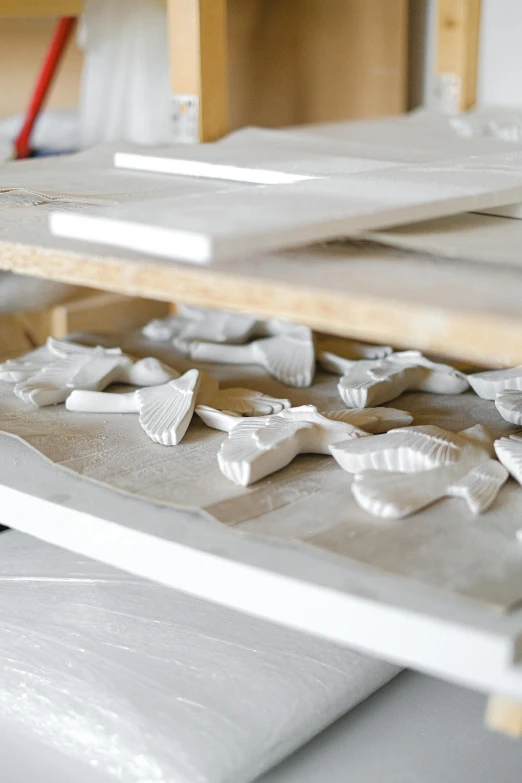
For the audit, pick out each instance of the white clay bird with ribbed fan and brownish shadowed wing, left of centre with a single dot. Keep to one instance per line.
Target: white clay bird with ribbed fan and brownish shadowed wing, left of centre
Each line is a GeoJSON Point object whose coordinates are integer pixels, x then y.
{"type": "Point", "coordinates": [165, 411]}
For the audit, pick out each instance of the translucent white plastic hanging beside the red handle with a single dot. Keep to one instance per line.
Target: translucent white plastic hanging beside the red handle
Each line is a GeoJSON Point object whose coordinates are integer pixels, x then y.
{"type": "Point", "coordinates": [125, 92]}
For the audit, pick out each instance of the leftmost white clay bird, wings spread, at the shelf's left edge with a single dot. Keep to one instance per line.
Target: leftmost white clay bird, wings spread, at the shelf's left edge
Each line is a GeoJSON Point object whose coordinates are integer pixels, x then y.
{"type": "Point", "coordinates": [48, 375]}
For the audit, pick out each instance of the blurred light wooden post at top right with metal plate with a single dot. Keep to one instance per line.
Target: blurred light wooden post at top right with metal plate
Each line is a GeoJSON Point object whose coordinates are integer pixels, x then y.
{"type": "Point", "coordinates": [458, 30]}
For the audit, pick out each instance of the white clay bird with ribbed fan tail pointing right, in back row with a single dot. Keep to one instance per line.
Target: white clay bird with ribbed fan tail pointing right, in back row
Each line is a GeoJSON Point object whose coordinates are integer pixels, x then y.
{"type": "Point", "coordinates": [288, 356]}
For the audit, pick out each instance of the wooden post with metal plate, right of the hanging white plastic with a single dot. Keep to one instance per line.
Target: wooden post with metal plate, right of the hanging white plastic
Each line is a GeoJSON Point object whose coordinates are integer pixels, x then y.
{"type": "Point", "coordinates": [198, 47]}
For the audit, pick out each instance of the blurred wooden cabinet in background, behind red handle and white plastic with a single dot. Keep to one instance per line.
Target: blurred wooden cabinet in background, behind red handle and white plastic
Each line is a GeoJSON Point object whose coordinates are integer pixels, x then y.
{"type": "Point", "coordinates": [274, 62]}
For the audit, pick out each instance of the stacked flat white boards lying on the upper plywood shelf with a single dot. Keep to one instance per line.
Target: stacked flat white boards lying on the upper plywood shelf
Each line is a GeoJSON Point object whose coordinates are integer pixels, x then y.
{"type": "Point", "coordinates": [260, 191]}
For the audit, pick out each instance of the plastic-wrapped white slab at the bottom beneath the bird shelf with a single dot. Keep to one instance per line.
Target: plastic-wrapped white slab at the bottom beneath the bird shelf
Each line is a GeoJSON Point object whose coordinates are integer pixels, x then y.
{"type": "Point", "coordinates": [149, 684]}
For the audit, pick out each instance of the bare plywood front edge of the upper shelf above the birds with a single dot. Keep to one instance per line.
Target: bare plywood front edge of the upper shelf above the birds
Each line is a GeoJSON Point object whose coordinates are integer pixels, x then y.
{"type": "Point", "coordinates": [480, 336]}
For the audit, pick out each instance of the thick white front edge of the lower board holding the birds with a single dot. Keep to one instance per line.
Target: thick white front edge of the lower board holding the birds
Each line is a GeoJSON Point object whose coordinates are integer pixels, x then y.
{"type": "Point", "coordinates": [390, 617]}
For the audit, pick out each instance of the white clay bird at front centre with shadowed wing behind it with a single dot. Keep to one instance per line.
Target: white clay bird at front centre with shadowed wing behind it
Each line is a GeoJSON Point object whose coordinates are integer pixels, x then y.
{"type": "Point", "coordinates": [257, 447]}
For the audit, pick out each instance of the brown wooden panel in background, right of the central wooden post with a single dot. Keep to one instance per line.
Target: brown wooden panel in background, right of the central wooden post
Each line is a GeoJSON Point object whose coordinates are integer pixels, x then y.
{"type": "Point", "coordinates": [297, 61]}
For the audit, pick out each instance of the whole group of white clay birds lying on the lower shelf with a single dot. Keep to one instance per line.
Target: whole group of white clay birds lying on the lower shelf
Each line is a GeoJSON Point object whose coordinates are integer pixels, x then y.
{"type": "Point", "coordinates": [397, 468]}
